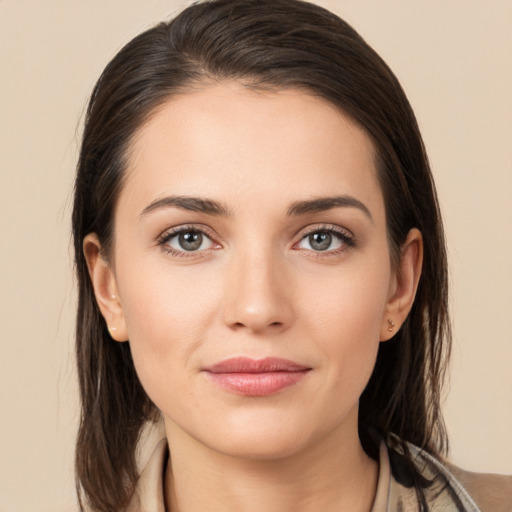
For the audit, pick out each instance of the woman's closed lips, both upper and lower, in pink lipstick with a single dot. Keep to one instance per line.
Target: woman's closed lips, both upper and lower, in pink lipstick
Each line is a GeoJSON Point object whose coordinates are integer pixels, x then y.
{"type": "Point", "coordinates": [250, 377]}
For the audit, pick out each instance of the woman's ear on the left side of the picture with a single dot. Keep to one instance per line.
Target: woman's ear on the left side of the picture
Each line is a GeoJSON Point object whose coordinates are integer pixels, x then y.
{"type": "Point", "coordinates": [105, 288]}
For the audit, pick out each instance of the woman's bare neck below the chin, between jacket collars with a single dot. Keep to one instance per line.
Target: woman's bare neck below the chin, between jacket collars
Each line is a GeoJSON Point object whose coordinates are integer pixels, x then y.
{"type": "Point", "coordinates": [332, 475]}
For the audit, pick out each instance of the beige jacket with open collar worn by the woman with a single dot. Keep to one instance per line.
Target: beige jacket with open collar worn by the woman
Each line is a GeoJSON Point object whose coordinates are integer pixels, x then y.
{"type": "Point", "coordinates": [453, 490]}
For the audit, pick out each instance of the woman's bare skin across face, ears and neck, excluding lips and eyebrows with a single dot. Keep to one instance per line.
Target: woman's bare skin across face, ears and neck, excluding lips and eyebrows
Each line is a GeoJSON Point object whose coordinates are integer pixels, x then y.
{"type": "Point", "coordinates": [256, 287]}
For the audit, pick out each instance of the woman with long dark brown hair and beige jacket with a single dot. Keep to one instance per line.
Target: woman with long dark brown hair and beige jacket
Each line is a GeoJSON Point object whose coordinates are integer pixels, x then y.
{"type": "Point", "coordinates": [261, 264]}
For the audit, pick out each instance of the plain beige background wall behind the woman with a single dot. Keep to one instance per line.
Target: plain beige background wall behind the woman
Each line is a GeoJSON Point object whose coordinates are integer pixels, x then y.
{"type": "Point", "coordinates": [454, 59]}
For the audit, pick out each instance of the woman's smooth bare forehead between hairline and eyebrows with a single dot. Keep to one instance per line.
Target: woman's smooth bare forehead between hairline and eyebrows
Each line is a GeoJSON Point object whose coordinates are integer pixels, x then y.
{"type": "Point", "coordinates": [275, 145]}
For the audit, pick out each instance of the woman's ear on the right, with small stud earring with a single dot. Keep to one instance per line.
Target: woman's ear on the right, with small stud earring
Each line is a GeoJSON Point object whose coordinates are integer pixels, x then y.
{"type": "Point", "coordinates": [403, 285]}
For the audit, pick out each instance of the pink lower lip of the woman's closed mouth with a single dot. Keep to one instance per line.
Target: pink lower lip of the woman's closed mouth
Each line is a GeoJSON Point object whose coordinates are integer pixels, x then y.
{"type": "Point", "coordinates": [257, 384]}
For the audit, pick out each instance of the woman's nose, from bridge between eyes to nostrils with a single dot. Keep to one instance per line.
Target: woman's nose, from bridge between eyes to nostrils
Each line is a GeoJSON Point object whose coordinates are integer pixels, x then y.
{"type": "Point", "coordinates": [259, 293]}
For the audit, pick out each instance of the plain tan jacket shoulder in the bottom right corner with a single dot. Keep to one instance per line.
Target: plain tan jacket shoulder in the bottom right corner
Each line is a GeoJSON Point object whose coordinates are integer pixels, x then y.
{"type": "Point", "coordinates": [492, 493]}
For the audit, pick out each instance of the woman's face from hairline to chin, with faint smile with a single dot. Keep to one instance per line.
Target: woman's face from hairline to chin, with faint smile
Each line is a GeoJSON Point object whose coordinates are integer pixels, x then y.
{"type": "Point", "coordinates": [251, 270]}
